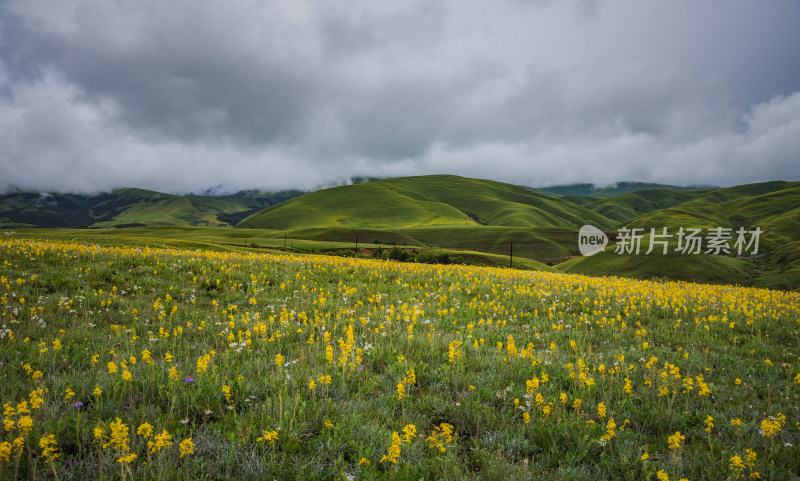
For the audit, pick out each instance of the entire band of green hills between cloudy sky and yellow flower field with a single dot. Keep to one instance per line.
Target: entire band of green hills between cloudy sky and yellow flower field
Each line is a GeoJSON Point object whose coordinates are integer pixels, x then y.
{"type": "Point", "coordinates": [465, 214]}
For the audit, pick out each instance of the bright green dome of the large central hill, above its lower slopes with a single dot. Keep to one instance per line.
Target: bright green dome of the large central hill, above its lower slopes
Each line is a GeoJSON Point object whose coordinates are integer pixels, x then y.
{"type": "Point", "coordinates": [437, 200]}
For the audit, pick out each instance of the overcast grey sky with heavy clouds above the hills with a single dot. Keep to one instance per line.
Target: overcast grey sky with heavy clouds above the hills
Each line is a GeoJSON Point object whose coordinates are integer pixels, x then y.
{"type": "Point", "coordinates": [189, 95]}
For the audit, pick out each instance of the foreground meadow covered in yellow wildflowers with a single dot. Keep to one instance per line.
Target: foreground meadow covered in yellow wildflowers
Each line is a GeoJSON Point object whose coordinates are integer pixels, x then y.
{"type": "Point", "coordinates": [120, 360]}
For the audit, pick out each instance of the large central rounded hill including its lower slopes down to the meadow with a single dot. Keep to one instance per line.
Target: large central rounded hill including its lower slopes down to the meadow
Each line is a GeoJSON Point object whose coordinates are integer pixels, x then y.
{"type": "Point", "coordinates": [436, 211]}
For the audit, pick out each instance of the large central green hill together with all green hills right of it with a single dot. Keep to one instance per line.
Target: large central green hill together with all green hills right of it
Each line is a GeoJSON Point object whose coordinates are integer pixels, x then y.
{"type": "Point", "coordinates": [479, 215]}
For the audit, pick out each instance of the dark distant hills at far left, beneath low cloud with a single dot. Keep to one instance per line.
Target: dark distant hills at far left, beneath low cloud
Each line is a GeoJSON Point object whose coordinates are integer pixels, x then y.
{"type": "Point", "coordinates": [125, 207]}
